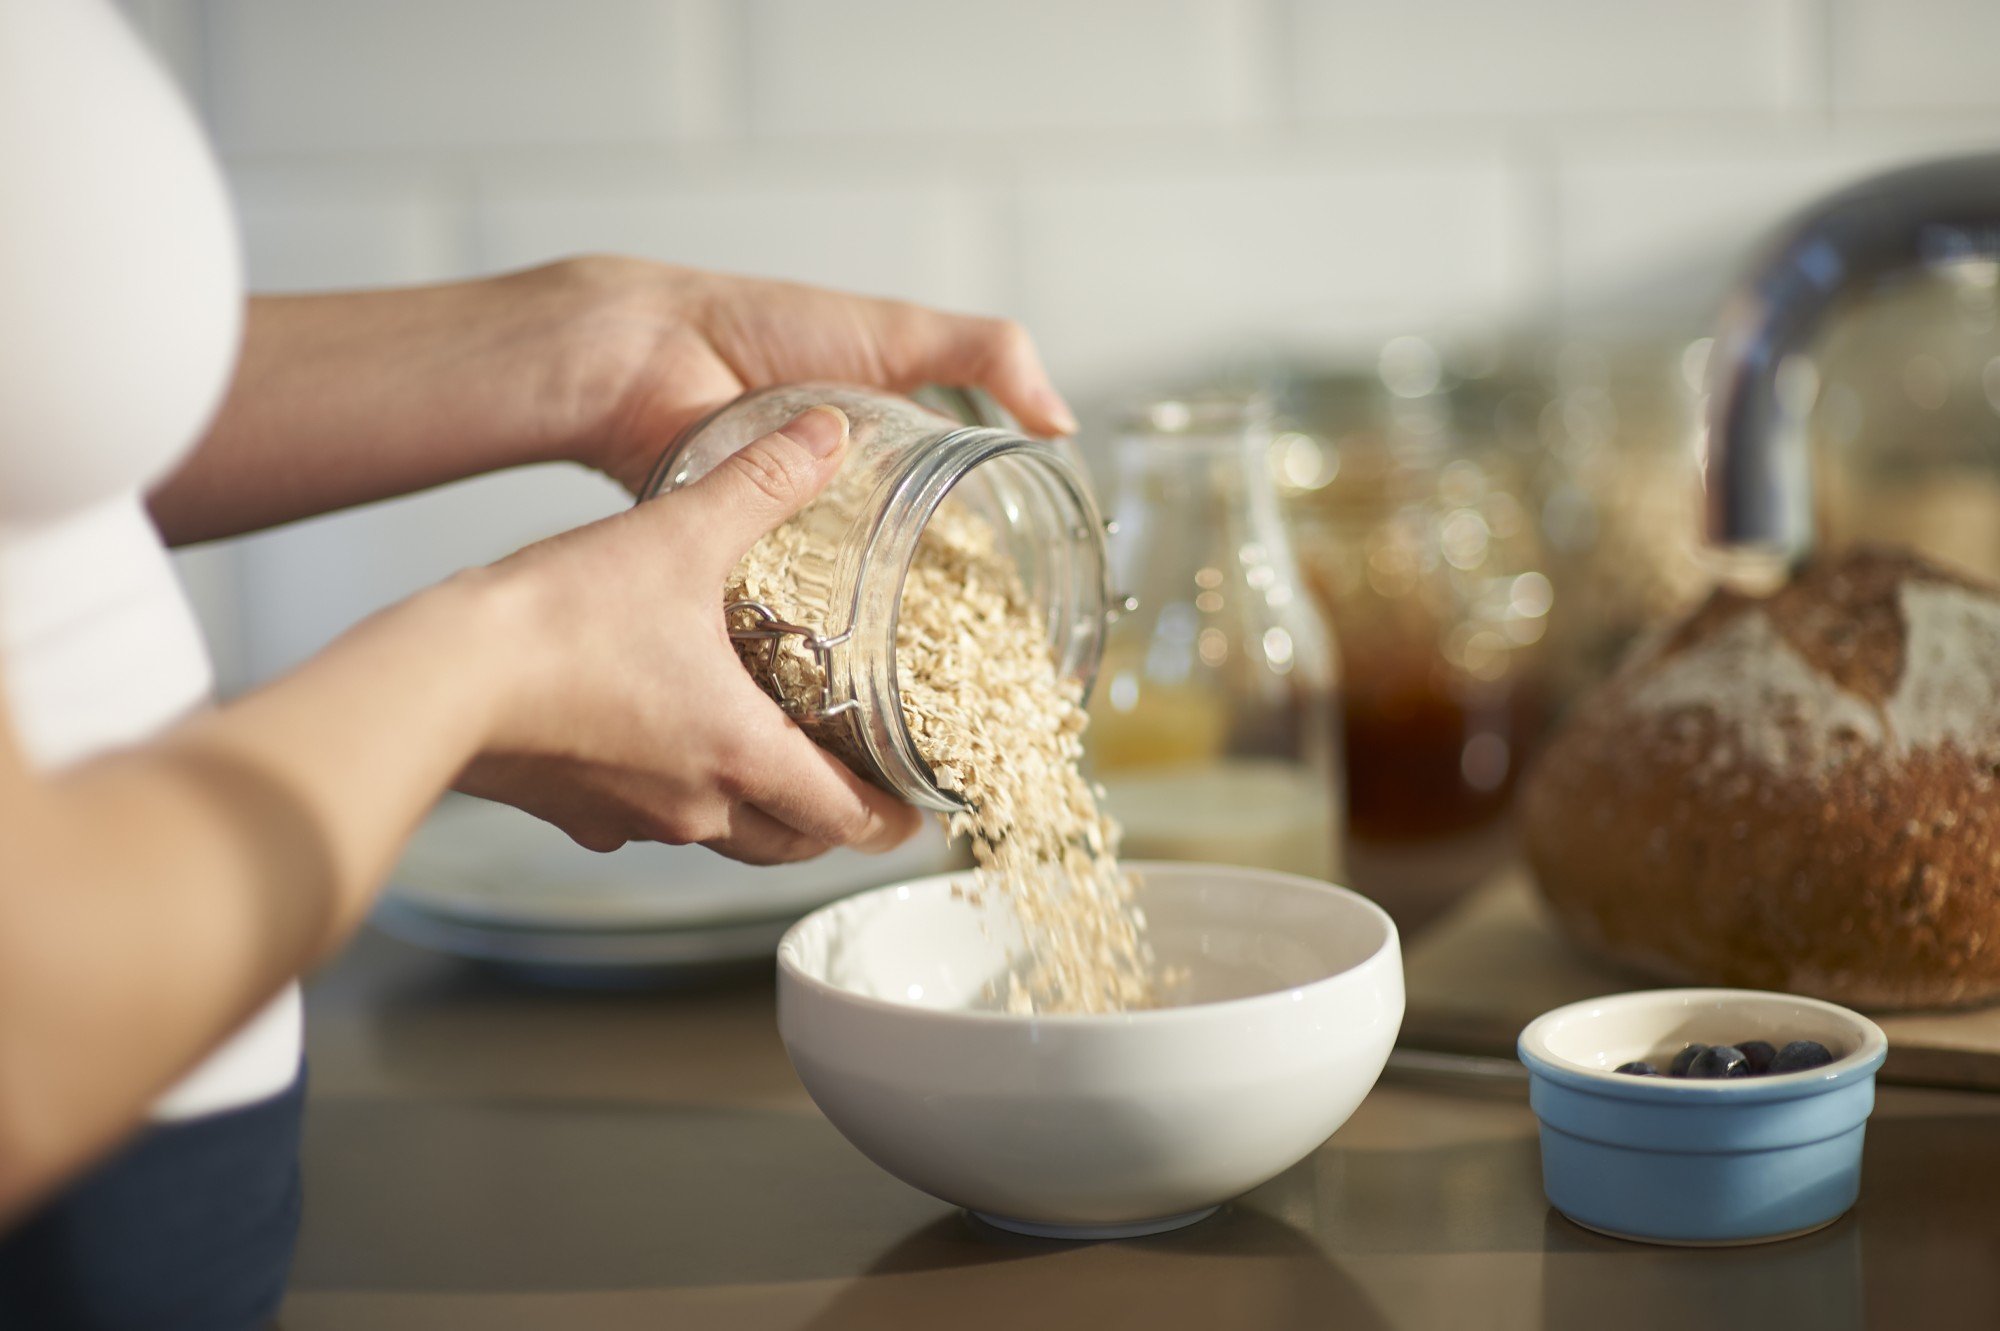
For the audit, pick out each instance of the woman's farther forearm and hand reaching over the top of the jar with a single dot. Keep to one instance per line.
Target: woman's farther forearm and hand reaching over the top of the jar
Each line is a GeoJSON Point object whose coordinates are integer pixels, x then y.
{"type": "Point", "coordinates": [601, 361]}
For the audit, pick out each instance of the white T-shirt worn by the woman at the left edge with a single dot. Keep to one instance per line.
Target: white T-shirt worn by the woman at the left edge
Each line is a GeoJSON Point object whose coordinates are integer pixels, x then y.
{"type": "Point", "coordinates": [121, 307]}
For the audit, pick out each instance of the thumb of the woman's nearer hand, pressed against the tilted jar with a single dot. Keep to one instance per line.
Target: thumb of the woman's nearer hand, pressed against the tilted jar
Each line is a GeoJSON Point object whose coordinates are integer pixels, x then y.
{"type": "Point", "coordinates": [763, 483]}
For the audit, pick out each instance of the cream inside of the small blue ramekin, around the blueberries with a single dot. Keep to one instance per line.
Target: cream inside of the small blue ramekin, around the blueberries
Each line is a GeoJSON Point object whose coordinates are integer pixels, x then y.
{"type": "Point", "coordinates": [1655, 1026]}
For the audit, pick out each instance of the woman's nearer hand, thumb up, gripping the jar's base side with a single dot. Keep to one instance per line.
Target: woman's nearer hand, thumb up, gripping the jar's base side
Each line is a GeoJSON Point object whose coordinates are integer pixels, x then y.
{"type": "Point", "coordinates": [631, 716]}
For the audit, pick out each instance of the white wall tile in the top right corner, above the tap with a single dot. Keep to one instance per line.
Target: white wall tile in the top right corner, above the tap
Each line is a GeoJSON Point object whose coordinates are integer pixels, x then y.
{"type": "Point", "coordinates": [1917, 55]}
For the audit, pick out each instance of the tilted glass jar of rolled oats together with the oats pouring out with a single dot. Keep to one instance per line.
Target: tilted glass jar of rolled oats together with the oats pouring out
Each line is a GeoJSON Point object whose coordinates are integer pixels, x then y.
{"type": "Point", "coordinates": [935, 617]}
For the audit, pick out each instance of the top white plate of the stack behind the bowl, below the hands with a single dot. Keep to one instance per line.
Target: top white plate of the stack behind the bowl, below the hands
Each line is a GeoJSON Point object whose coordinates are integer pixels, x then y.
{"type": "Point", "coordinates": [487, 864]}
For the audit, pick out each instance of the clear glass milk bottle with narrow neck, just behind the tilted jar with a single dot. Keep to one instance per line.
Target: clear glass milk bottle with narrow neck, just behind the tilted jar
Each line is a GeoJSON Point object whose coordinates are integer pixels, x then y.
{"type": "Point", "coordinates": [1213, 724]}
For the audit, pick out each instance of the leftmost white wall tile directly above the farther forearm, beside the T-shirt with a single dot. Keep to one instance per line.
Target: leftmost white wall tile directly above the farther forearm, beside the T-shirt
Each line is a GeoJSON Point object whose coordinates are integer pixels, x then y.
{"type": "Point", "coordinates": [307, 231]}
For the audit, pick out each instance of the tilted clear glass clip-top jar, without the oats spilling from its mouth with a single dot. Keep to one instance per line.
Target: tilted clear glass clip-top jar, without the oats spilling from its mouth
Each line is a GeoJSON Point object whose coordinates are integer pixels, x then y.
{"type": "Point", "coordinates": [859, 537]}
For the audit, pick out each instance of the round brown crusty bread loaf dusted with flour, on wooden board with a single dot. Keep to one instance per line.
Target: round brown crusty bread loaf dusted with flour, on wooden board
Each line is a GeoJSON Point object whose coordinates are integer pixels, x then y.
{"type": "Point", "coordinates": [1797, 792]}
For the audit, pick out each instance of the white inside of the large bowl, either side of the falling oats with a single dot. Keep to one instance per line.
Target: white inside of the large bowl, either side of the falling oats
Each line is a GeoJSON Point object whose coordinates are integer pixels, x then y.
{"type": "Point", "coordinates": [1231, 932]}
